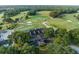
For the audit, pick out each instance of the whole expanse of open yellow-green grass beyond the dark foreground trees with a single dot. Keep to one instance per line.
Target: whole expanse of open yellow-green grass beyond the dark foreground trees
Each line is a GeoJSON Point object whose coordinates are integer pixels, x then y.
{"type": "Point", "coordinates": [68, 21]}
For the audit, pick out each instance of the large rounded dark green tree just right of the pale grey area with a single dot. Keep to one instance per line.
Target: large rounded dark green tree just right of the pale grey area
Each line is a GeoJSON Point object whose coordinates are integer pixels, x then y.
{"type": "Point", "coordinates": [20, 37]}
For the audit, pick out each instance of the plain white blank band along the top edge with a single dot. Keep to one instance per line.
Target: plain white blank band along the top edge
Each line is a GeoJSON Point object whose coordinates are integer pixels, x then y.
{"type": "Point", "coordinates": [39, 2]}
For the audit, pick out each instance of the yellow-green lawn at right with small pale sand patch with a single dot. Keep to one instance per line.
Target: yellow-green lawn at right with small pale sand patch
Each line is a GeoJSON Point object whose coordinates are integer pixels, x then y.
{"type": "Point", "coordinates": [63, 23]}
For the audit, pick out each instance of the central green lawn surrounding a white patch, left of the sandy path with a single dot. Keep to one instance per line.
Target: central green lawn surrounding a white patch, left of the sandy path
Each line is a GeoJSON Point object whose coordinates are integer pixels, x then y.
{"type": "Point", "coordinates": [36, 23]}
